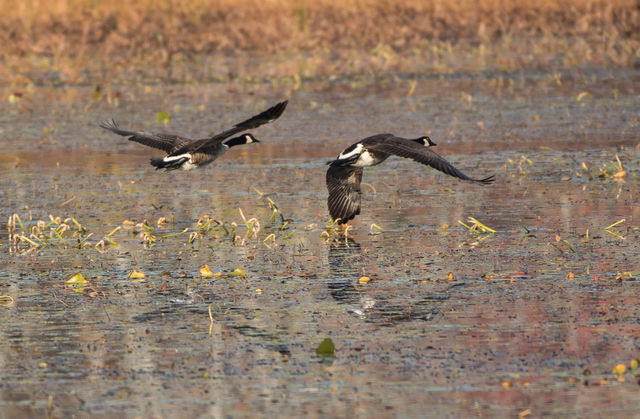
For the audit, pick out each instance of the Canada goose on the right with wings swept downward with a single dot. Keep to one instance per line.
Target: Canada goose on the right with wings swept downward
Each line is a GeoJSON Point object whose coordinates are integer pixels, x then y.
{"type": "Point", "coordinates": [345, 173]}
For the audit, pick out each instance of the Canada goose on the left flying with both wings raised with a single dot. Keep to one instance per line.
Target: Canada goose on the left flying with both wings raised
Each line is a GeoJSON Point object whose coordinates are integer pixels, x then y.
{"type": "Point", "coordinates": [185, 153]}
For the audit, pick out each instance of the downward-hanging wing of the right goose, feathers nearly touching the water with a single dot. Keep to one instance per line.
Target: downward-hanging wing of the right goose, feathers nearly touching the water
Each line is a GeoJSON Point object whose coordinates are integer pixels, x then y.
{"type": "Point", "coordinates": [343, 183]}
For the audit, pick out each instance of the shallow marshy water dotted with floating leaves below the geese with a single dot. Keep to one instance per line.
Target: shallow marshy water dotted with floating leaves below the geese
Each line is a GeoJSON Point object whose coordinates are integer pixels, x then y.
{"type": "Point", "coordinates": [530, 317]}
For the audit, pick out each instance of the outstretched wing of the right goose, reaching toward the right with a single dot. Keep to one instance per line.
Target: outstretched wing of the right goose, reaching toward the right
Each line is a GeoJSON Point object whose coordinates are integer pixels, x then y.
{"type": "Point", "coordinates": [403, 147]}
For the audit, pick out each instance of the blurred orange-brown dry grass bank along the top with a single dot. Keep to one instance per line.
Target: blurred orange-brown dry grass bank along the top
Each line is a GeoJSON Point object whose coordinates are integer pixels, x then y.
{"type": "Point", "coordinates": [159, 38]}
